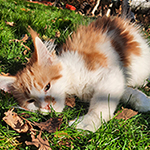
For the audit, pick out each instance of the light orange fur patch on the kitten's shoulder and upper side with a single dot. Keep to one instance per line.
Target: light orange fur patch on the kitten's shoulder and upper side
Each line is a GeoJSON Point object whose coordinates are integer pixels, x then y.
{"type": "Point", "coordinates": [84, 41]}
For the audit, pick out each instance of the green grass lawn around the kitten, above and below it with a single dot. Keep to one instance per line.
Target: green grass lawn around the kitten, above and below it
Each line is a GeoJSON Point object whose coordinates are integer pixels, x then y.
{"type": "Point", "coordinates": [115, 134]}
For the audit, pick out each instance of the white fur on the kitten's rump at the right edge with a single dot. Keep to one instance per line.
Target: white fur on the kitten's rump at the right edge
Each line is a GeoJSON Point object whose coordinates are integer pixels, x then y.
{"type": "Point", "coordinates": [139, 70]}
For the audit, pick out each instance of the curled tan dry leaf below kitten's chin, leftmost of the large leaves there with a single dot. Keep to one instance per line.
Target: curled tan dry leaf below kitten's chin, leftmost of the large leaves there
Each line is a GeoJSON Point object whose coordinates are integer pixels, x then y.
{"type": "Point", "coordinates": [13, 120]}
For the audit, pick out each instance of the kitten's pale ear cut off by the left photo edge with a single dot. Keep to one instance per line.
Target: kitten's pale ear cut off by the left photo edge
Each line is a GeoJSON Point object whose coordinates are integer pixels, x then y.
{"type": "Point", "coordinates": [6, 81]}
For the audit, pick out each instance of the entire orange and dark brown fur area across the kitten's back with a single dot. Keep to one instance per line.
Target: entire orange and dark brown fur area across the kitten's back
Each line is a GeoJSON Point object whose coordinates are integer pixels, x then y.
{"type": "Point", "coordinates": [85, 39]}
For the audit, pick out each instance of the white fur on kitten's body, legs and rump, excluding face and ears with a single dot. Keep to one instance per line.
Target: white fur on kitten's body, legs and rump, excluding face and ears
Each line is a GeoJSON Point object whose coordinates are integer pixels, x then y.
{"type": "Point", "coordinates": [104, 87]}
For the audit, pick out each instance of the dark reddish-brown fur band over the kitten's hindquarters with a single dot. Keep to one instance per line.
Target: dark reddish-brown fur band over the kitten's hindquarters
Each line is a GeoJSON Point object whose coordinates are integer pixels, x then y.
{"type": "Point", "coordinates": [122, 39]}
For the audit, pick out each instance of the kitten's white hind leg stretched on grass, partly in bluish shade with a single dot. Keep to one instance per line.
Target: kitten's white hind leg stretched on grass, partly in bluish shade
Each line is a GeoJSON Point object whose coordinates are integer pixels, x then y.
{"type": "Point", "coordinates": [136, 99]}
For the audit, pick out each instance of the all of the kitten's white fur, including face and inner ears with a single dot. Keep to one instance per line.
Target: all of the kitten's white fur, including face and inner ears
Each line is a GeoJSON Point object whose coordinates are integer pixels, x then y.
{"type": "Point", "coordinates": [102, 87]}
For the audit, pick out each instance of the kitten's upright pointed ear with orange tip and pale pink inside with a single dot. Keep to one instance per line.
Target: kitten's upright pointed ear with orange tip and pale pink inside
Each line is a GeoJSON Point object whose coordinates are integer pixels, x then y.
{"type": "Point", "coordinates": [41, 54]}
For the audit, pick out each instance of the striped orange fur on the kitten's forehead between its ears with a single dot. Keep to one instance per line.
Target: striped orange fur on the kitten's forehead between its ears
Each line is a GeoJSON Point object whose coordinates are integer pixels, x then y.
{"type": "Point", "coordinates": [34, 75]}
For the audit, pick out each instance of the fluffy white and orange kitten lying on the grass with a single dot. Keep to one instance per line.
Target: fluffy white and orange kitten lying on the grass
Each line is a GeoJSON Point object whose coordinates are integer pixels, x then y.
{"type": "Point", "coordinates": [99, 63]}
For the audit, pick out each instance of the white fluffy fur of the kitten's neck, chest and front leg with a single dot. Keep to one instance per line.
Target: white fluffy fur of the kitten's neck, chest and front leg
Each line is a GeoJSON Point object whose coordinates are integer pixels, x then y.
{"type": "Point", "coordinates": [98, 85]}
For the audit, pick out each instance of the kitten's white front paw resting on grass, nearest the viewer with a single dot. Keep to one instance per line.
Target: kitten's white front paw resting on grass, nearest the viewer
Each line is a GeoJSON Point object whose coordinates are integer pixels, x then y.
{"type": "Point", "coordinates": [86, 123]}
